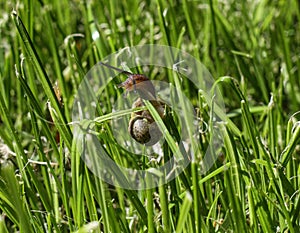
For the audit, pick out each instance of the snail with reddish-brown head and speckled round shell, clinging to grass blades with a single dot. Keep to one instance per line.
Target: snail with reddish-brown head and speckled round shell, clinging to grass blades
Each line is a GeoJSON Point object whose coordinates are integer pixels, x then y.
{"type": "Point", "coordinates": [142, 126]}
